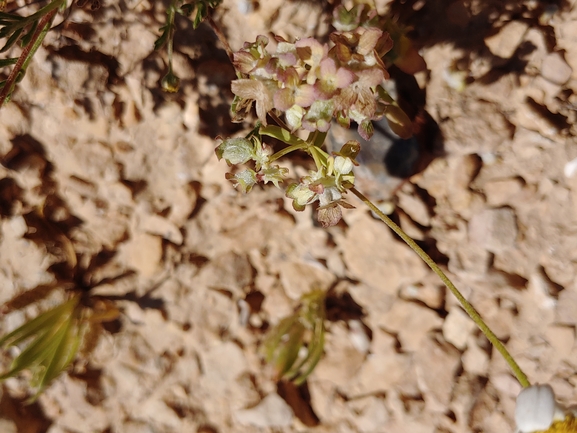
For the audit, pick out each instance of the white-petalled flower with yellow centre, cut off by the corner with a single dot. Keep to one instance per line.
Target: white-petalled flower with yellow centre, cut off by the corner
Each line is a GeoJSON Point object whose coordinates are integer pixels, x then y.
{"type": "Point", "coordinates": [537, 411]}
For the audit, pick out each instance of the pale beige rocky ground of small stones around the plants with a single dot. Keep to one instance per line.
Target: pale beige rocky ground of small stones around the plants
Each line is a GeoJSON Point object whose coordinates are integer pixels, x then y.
{"type": "Point", "coordinates": [128, 174]}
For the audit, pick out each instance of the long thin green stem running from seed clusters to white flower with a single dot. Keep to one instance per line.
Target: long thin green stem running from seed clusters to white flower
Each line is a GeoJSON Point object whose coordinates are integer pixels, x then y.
{"type": "Point", "coordinates": [521, 377]}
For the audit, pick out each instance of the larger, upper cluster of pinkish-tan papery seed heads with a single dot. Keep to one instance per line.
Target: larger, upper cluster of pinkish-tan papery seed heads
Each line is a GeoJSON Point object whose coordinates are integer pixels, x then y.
{"type": "Point", "coordinates": [314, 83]}
